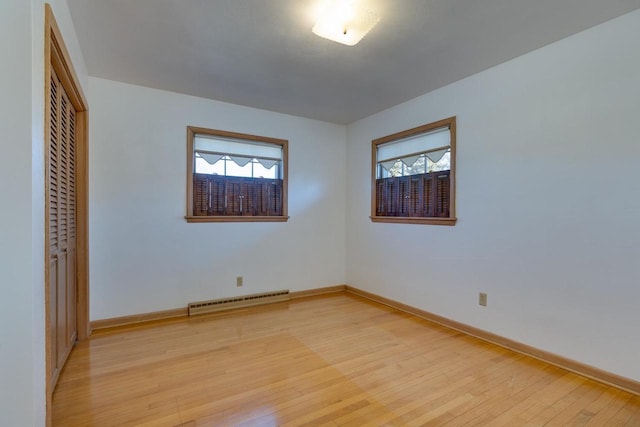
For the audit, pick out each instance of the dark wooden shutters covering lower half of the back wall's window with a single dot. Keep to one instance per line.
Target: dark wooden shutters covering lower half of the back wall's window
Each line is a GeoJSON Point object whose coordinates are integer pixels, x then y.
{"type": "Point", "coordinates": [215, 195]}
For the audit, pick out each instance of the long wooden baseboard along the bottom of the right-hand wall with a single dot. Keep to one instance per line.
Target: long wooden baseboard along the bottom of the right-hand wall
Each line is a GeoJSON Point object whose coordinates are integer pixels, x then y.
{"type": "Point", "coordinates": [579, 368]}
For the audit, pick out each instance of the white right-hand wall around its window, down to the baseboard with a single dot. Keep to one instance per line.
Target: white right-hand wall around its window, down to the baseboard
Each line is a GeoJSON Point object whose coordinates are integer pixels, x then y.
{"type": "Point", "coordinates": [548, 201]}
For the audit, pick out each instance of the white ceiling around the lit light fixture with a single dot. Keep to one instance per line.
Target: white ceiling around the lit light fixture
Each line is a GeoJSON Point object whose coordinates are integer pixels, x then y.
{"type": "Point", "coordinates": [262, 53]}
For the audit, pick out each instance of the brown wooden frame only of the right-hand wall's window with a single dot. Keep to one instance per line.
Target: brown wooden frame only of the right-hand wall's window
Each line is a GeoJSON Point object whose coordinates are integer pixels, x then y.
{"type": "Point", "coordinates": [451, 220]}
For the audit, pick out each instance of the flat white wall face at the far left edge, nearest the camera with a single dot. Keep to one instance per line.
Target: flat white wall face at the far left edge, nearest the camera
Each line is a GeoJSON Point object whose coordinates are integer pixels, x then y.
{"type": "Point", "coordinates": [16, 322]}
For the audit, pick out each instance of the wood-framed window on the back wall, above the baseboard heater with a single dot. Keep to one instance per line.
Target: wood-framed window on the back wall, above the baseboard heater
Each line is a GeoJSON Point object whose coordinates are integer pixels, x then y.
{"type": "Point", "coordinates": [235, 177]}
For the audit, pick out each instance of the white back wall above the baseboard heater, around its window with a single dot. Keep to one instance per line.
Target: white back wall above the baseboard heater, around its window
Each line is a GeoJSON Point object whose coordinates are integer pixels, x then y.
{"type": "Point", "coordinates": [145, 257]}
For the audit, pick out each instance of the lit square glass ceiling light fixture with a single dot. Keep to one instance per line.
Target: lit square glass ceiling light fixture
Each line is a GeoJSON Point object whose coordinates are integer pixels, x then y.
{"type": "Point", "coordinates": [343, 22]}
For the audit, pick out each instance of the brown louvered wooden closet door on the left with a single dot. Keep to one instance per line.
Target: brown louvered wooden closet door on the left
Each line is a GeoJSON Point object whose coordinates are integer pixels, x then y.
{"type": "Point", "coordinates": [62, 225]}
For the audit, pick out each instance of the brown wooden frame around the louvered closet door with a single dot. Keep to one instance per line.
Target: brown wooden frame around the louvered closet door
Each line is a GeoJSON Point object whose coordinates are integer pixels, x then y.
{"type": "Point", "coordinates": [56, 57]}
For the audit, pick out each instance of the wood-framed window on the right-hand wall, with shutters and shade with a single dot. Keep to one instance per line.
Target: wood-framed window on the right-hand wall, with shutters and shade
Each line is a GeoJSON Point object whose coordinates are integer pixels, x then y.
{"type": "Point", "coordinates": [413, 175]}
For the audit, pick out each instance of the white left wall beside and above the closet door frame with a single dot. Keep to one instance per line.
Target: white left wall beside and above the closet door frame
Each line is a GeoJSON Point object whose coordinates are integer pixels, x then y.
{"type": "Point", "coordinates": [22, 357]}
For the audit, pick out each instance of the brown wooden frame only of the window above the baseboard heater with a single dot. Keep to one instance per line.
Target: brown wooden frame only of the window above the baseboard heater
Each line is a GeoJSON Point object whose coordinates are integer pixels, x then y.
{"type": "Point", "coordinates": [192, 131]}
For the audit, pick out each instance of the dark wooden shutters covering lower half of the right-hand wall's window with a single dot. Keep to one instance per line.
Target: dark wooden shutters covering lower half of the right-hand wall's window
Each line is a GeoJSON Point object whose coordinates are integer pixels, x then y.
{"type": "Point", "coordinates": [421, 195]}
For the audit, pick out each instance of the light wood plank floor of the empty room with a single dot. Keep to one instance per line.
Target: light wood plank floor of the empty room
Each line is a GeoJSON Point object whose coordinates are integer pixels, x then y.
{"type": "Point", "coordinates": [330, 360]}
